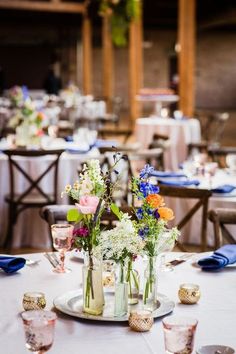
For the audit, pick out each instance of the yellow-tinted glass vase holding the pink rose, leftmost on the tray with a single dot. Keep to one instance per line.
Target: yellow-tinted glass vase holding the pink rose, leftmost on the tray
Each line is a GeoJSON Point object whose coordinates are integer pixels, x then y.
{"type": "Point", "coordinates": [93, 297]}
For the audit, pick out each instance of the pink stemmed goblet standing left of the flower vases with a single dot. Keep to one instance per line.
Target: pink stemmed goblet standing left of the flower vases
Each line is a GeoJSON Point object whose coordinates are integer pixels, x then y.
{"type": "Point", "coordinates": [62, 237]}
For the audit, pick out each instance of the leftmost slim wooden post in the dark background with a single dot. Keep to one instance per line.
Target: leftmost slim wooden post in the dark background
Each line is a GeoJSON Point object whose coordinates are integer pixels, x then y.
{"type": "Point", "coordinates": [87, 55]}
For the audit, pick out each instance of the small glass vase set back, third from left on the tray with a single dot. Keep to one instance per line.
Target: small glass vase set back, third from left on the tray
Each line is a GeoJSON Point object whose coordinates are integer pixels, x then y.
{"type": "Point", "coordinates": [132, 279]}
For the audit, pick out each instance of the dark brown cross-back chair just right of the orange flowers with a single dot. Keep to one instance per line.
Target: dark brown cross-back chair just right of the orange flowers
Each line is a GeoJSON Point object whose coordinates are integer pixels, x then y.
{"type": "Point", "coordinates": [201, 196]}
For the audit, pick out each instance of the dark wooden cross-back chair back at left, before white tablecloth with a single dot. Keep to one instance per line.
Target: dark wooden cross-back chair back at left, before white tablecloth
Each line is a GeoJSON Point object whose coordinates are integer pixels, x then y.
{"type": "Point", "coordinates": [15, 167]}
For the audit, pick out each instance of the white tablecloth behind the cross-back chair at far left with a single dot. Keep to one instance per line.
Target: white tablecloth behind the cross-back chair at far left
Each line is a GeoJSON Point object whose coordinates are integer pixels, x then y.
{"type": "Point", "coordinates": [31, 230]}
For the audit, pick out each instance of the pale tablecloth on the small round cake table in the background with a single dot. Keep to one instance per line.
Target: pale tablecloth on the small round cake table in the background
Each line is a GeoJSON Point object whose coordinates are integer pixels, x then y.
{"type": "Point", "coordinates": [180, 132]}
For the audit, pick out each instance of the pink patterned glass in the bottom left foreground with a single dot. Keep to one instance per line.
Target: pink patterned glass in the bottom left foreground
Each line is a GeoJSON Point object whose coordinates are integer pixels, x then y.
{"type": "Point", "coordinates": [39, 330]}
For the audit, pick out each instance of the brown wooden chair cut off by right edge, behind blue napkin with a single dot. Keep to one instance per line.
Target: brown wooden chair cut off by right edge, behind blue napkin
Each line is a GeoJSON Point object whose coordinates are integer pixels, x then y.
{"type": "Point", "coordinates": [221, 217]}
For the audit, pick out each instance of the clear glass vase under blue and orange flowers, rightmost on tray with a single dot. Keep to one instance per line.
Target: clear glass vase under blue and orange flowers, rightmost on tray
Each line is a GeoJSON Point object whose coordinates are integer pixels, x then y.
{"type": "Point", "coordinates": [150, 285]}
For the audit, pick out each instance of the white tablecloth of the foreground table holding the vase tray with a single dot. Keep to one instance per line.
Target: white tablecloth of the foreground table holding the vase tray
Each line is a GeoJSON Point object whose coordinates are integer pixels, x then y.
{"type": "Point", "coordinates": [216, 311]}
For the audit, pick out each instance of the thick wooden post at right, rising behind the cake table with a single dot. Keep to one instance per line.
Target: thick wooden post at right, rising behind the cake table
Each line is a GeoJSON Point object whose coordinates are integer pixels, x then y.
{"type": "Point", "coordinates": [186, 55]}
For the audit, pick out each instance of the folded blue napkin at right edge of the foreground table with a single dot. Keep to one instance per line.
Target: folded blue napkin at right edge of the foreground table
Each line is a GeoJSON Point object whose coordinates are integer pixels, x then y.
{"type": "Point", "coordinates": [219, 259]}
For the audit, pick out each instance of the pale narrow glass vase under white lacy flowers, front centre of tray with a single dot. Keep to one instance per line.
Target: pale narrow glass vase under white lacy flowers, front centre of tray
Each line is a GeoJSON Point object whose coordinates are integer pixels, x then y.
{"type": "Point", "coordinates": [121, 291]}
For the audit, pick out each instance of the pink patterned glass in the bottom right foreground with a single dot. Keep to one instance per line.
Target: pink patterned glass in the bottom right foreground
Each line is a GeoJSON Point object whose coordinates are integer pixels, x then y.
{"type": "Point", "coordinates": [179, 334]}
